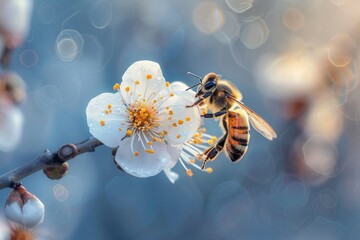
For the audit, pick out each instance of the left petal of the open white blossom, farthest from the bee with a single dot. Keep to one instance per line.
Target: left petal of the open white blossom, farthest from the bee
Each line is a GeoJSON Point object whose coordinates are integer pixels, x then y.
{"type": "Point", "coordinates": [115, 122]}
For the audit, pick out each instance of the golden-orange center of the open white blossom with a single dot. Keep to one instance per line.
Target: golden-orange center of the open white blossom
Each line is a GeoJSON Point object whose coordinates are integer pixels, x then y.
{"type": "Point", "coordinates": [141, 118]}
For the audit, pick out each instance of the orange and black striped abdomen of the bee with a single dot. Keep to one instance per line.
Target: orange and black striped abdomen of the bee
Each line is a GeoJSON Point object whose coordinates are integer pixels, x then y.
{"type": "Point", "coordinates": [238, 134]}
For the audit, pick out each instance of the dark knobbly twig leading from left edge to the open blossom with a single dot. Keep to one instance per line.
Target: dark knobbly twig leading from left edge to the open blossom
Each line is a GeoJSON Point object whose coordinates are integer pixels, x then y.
{"type": "Point", "coordinates": [46, 159]}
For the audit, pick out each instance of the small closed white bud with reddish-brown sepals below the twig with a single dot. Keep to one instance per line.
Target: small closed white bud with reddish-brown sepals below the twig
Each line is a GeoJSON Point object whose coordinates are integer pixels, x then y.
{"type": "Point", "coordinates": [24, 208]}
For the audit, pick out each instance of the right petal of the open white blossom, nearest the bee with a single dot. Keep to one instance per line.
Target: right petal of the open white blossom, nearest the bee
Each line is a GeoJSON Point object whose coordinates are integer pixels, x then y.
{"type": "Point", "coordinates": [183, 122]}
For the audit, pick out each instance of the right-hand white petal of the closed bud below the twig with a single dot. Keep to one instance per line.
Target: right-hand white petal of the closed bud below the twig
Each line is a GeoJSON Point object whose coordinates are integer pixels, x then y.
{"type": "Point", "coordinates": [33, 213]}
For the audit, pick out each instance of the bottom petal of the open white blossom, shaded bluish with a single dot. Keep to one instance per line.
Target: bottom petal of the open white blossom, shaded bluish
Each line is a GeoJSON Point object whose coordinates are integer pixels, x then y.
{"type": "Point", "coordinates": [144, 165]}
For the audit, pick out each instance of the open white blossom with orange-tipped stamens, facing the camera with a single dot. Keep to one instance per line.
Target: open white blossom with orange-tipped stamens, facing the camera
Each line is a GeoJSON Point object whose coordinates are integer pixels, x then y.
{"type": "Point", "coordinates": [143, 118]}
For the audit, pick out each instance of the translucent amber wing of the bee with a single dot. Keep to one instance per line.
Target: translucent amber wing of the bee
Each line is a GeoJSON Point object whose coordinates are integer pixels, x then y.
{"type": "Point", "coordinates": [257, 122]}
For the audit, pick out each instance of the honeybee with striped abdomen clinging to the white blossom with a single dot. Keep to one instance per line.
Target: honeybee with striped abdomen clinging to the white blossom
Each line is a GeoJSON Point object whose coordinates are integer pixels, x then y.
{"type": "Point", "coordinates": [224, 101]}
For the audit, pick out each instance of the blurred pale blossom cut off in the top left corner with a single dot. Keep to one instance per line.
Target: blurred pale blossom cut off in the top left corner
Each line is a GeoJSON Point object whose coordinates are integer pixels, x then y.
{"type": "Point", "coordinates": [15, 18]}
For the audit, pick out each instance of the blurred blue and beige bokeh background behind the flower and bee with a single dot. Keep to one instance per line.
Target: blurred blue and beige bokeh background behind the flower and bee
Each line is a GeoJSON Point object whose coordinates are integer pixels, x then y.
{"type": "Point", "coordinates": [296, 63]}
